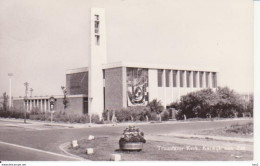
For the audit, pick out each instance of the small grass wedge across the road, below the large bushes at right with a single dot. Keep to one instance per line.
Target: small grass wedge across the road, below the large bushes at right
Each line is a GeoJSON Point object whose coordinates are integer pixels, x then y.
{"type": "Point", "coordinates": [236, 130]}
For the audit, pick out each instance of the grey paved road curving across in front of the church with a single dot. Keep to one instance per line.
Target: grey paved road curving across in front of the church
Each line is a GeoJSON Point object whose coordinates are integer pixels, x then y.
{"type": "Point", "coordinates": [49, 139]}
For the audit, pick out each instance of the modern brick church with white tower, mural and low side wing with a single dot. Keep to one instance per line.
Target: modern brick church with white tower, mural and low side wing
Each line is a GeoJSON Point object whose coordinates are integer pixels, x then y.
{"type": "Point", "coordinates": [107, 86]}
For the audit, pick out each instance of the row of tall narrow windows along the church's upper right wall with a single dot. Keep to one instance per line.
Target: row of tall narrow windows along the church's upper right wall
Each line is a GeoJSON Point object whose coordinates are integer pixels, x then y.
{"type": "Point", "coordinates": [196, 78]}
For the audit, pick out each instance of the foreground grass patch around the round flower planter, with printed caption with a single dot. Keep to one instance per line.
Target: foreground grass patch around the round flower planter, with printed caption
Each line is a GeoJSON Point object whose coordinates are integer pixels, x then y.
{"type": "Point", "coordinates": [155, 150]}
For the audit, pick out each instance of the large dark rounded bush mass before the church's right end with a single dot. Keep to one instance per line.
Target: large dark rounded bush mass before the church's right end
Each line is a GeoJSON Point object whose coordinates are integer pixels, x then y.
{"type": "Point", "coordinates": [222, 103]}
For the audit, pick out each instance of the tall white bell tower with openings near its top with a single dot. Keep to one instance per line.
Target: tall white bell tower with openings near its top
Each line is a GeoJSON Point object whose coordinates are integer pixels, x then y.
{"type": "Point", "coordinates": [98, 57]}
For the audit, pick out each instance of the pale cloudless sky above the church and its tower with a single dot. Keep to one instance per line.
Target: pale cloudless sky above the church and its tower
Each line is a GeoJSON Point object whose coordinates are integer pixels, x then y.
{"type": "Point", "coordinates": [40, 40]}
